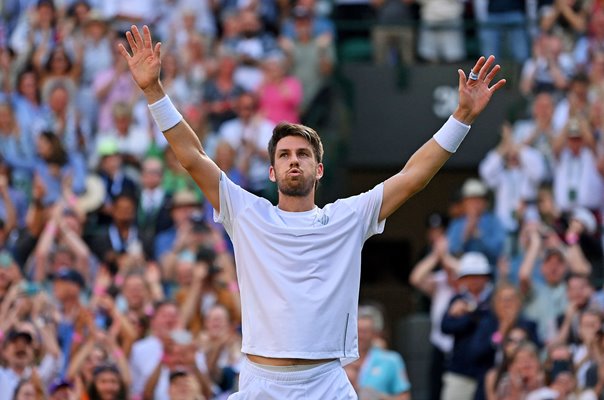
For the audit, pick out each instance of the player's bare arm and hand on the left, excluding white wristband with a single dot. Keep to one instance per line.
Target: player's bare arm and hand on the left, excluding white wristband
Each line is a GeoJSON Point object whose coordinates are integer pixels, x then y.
{"type": "Point", "coordinates": [144, 64]}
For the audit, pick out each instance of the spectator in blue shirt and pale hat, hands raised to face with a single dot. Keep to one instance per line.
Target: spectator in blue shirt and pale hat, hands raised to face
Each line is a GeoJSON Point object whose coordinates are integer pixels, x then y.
{"type": "Point", "coordinates": [478, 229]}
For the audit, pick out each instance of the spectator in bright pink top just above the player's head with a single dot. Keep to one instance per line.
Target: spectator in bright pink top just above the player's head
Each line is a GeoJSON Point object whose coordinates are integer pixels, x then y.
{"type": "Point", "coordinates": [280, 94]}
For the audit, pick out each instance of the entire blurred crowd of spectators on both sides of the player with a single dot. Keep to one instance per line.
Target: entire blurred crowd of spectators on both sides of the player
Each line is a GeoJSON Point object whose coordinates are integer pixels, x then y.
{"type": "Point", "coordinates": [115, 282]}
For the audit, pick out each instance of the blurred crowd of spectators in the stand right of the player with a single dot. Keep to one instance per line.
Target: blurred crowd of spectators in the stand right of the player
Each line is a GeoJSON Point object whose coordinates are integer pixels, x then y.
{"type": "Point", "coordinates": [515, 266]}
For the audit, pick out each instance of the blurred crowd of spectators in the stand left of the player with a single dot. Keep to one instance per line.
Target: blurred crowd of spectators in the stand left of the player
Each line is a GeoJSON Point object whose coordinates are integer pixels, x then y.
{"type": "Point", "coordinates": [115, 282]}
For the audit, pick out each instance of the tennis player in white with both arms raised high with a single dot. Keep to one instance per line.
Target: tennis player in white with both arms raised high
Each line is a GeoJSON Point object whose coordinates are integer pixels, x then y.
{"type": "Point", "coordinates": [299, 265]}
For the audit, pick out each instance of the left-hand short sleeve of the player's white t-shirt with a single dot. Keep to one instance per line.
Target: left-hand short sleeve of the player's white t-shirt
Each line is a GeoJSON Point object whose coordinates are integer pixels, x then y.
{"type": "Point", "coordinates": [233, 200]}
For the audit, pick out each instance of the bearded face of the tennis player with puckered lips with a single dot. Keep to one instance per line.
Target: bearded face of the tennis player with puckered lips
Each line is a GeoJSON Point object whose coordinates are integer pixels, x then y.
{"type": "Point", "coordinates": [295, 169]}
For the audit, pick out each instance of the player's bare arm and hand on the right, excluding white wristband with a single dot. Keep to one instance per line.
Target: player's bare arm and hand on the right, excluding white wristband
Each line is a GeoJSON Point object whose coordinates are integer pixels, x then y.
{"type": "Point", "coordinates": [474, 95]}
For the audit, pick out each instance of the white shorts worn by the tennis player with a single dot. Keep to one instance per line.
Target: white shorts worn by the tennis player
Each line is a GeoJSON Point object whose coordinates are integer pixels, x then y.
{"type": "Point", "coordinates": [325, 381]}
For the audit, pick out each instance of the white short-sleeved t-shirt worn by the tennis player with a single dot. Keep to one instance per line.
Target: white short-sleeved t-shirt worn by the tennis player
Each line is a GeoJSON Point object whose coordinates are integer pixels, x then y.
{"type": "Point", "coordinates": [299, 272]}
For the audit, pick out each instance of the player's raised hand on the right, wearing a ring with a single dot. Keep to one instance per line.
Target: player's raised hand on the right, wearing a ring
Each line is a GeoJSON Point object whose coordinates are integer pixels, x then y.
{"type": "Point", "coordinates": [475, 94]}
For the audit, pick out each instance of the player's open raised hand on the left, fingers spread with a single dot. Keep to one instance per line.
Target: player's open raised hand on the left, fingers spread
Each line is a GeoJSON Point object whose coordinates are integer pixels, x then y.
{"type": "Point", "coordinates": [144, 63]}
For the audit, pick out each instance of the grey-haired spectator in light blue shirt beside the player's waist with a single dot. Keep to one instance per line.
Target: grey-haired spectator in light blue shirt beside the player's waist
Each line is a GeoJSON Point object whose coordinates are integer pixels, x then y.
{"type": "Point", "coordinates": [378, 373]}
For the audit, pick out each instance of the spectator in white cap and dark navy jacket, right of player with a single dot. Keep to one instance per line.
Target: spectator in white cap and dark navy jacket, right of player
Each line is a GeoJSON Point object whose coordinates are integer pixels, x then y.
{"type": "Point", "coordinates": [461, 321]}
